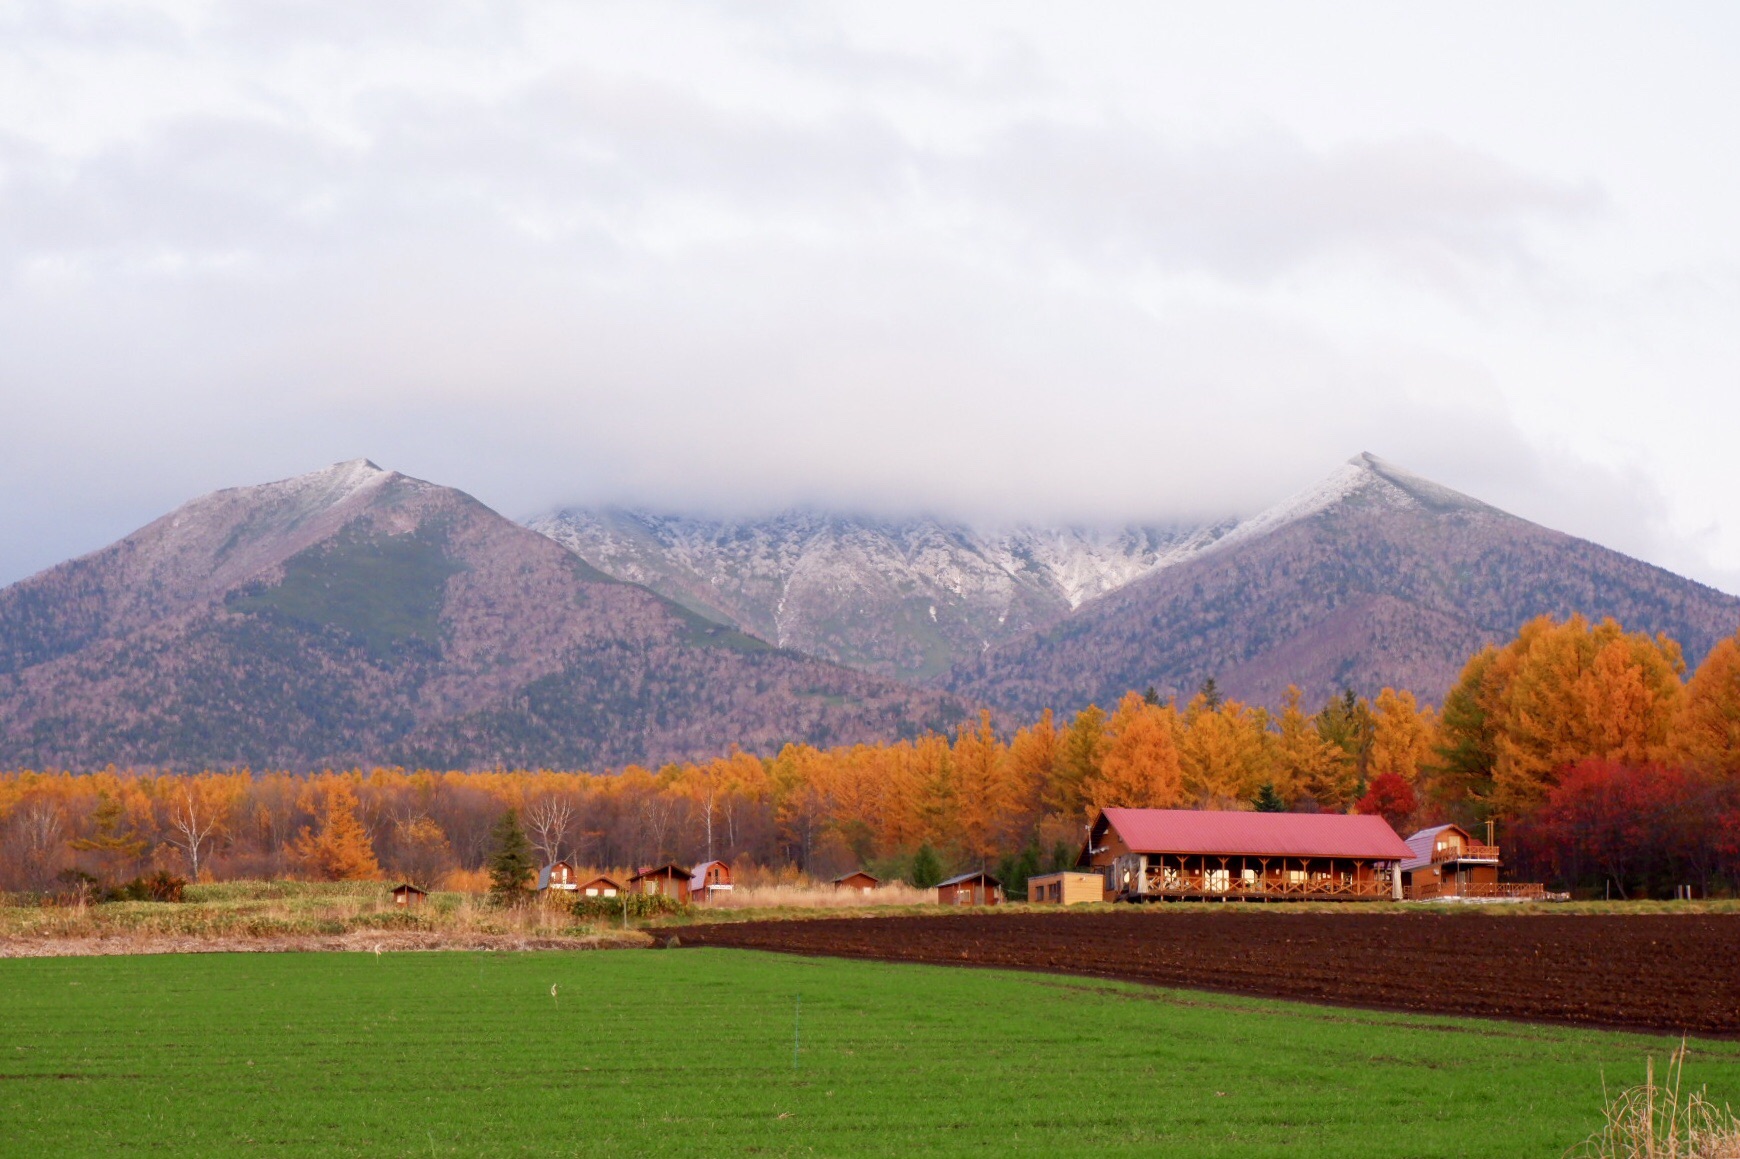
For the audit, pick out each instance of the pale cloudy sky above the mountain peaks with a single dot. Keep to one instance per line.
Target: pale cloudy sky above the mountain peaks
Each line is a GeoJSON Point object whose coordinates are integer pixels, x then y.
{"type": "Point", "coordinates": [998, 262]}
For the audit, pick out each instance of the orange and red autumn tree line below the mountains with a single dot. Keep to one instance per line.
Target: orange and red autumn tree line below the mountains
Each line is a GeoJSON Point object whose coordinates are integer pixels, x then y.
{"type": "Point", "coordinates": [1586, 744]}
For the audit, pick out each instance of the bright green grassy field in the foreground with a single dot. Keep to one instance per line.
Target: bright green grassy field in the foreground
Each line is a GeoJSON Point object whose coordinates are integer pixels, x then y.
{"type": "Point", "coordinates": [690, 1052]}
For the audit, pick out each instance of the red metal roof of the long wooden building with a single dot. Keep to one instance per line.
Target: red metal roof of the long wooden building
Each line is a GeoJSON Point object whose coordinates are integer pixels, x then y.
{"type": "Point", "coordinates": [1261, 834]}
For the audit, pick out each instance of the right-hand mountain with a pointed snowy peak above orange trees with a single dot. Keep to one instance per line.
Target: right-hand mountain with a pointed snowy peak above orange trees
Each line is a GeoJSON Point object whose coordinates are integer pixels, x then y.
{"type": "Point", "coordinates": [1372, 579]}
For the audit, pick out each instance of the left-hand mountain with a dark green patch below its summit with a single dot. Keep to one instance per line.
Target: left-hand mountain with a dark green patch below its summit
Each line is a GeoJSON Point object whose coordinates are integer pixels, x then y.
{"type": "Point", "coordinates": [356, 615]}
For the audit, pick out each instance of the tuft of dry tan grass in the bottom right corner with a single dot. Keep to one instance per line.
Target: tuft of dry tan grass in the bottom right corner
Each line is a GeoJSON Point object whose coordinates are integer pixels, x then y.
{"type": "Point", "coordinates": [1664, 1122]}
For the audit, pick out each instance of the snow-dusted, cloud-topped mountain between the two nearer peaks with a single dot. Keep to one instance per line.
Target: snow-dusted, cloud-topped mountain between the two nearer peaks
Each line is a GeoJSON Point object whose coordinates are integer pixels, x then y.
{"type": "Point", "coordinates": [897, 598]}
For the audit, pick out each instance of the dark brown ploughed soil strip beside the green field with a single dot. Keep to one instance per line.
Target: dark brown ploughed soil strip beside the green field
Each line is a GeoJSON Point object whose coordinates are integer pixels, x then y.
{"type": "Point", "coordinates": [1678, 974]}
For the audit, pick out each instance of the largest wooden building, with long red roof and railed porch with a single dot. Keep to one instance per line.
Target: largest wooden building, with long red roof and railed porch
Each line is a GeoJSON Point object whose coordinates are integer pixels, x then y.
{"type": "Point", "coordinates": [1172, 855]}
